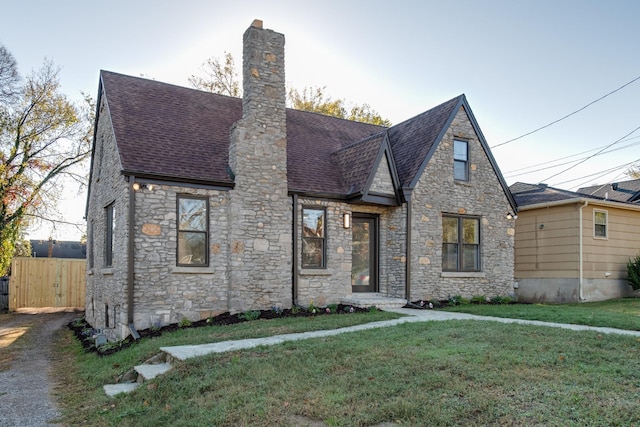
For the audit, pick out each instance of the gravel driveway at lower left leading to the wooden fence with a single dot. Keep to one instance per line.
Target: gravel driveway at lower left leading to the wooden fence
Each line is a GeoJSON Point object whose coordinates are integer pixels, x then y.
{"type": "Point", "coordinates": [24, 381]}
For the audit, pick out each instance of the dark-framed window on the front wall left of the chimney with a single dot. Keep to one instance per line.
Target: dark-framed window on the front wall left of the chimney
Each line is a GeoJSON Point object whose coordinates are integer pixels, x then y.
{"type": "Point", "coordinates": [193, 231]}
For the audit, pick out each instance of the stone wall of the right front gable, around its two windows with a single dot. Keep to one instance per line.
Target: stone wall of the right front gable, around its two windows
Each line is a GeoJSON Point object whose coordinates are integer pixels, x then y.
{"type": "Point", "coordinates": [436, 193]}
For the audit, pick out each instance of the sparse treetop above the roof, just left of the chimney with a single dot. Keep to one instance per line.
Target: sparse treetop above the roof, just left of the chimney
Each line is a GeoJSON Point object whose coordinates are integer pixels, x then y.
{"type": "Point", "coordinates": [218, 78]}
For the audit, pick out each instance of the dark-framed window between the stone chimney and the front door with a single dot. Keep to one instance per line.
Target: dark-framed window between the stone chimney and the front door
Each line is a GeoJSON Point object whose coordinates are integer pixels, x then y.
{"type": "Point", "coordinates": [313, 238]}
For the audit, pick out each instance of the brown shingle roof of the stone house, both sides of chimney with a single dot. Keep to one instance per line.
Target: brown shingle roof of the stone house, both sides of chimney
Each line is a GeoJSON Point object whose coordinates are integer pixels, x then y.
{"type": "Point", "coordinates": [174, 133]}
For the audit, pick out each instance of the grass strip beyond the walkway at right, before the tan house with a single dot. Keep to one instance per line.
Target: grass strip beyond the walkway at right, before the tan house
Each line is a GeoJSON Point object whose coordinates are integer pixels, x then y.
{"type": "Point", "coordinates": [621, 313]}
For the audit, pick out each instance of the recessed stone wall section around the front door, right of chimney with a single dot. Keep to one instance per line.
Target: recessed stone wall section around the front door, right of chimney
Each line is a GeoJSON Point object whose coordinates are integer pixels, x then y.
{"type": "Point", "coordinates": [328, 285]}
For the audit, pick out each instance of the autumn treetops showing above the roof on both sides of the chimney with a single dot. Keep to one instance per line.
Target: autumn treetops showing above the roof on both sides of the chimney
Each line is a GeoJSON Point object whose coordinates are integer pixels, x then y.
{"type": "Point", "coordinates": [223, 79]}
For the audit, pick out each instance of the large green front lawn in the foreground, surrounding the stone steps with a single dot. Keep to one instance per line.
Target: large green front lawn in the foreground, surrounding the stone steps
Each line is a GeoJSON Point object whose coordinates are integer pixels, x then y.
{"type": "Point", "coordinates": [428, 373]}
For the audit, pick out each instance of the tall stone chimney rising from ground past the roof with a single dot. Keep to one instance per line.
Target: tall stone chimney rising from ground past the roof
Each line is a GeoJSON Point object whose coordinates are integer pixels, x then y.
{"type": "Point", "coordinates": [260, 209]}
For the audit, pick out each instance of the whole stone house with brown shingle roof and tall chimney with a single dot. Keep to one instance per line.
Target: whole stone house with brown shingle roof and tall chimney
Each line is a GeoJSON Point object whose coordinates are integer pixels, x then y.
{"type": "Point", "coordinates": [200, 203]}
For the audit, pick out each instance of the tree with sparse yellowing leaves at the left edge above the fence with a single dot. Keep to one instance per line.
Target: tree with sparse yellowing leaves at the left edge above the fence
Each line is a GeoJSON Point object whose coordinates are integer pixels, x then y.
{"type": "Point", "coordinates": [42, 139]}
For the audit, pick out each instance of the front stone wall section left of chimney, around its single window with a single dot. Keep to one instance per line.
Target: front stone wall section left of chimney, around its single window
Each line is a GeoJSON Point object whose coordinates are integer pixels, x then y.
{"type": "Point", "coordinates": [164, 292]}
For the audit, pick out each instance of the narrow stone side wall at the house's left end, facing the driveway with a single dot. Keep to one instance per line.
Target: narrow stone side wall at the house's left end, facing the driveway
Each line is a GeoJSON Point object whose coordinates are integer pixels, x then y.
{"type": "Point", "coordinates": [106, 291]}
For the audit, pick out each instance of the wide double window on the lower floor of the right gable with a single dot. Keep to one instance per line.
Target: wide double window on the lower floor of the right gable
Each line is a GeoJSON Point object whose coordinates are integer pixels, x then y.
{"type": "Point", "coordinates": [460, 243]}
